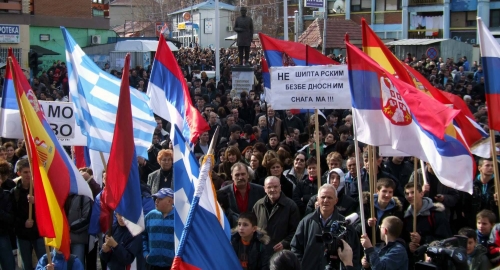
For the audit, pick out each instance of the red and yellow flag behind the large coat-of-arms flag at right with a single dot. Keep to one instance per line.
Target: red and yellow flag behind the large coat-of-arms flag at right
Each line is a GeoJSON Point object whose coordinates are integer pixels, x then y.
{"type": "Point", "coordinates": [464, 128]}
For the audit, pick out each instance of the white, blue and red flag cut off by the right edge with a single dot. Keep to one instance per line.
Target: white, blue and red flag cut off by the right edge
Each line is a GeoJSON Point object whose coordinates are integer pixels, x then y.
{"type": "Point", "coordinates": [490, 57]}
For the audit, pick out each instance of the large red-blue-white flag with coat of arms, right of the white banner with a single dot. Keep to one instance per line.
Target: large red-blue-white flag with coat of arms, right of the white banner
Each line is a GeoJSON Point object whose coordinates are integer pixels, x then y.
{"type": "Point", "coordinates": [390, 112]}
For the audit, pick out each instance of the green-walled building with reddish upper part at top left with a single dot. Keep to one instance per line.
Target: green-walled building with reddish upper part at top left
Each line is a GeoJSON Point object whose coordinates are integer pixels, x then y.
{"type": "Point", "coordinates": [38, 23]}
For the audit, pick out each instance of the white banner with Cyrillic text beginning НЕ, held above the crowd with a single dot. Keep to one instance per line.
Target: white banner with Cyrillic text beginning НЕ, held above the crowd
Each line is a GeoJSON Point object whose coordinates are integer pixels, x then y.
{"type": "Point", "coordinates": [314, 87]}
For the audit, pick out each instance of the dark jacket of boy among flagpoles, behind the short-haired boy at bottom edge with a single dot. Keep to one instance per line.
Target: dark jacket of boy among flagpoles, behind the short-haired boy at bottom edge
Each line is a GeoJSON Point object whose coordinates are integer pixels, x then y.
{"type": "Point", "coordinates": [394, 208]}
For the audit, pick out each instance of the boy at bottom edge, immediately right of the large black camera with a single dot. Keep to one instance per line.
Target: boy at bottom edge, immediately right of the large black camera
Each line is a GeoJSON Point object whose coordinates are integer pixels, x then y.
{"type": "Point", "coordinates": [476, 253]}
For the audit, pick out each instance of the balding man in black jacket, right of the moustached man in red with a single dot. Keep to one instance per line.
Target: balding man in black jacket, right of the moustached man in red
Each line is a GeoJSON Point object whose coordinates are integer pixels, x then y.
{"type": "Point", "coordinates": [277, 214]}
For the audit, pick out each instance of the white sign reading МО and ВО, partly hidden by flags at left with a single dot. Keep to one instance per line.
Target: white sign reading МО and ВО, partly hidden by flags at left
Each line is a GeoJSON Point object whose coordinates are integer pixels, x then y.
{"type": "Point", "coordinates": [61, 118]}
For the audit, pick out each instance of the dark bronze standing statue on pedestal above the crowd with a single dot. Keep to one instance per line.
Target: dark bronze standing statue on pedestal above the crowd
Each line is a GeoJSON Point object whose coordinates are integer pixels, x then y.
{"type": "Point", "coordinates": [244, 29]}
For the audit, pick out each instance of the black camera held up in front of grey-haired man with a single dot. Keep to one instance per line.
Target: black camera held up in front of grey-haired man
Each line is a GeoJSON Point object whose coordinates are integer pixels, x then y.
{"type": "Point", "coordinates": [332, 237]}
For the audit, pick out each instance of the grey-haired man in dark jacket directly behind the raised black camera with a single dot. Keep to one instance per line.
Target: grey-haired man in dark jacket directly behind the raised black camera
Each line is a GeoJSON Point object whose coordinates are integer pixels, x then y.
{"type": "Point", "coordinates": [308, 250]}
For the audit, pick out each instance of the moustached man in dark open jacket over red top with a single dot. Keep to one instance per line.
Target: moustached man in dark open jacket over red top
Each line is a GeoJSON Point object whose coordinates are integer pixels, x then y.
{"type": "Point", "coordinates": [242, 194]}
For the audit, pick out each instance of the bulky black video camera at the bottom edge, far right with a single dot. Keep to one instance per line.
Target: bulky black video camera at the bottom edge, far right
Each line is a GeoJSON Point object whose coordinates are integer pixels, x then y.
{"type": "Point", "coordinates": [450, 253]}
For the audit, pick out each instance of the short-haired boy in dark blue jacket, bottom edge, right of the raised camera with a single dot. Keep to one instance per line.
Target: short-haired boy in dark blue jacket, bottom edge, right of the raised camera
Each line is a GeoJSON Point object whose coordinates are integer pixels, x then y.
{"type": "Point", "coordinates": [393, 254]}
